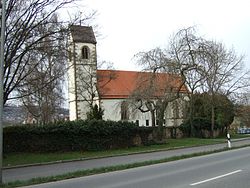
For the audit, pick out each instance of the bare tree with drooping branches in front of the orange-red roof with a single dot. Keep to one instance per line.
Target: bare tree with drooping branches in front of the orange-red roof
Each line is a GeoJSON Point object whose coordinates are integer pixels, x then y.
{"type": "Point", "coordinates": [159, 86]}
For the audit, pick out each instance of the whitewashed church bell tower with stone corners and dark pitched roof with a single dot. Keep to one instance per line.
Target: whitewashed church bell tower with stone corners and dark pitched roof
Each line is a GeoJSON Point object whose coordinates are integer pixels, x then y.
{"type": "Point", "coordinates": [82, 62]}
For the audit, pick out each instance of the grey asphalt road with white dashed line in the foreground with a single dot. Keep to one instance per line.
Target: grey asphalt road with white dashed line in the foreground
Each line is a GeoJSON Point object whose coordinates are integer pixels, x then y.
{"type": "Point", "coordinates": [228, 169]}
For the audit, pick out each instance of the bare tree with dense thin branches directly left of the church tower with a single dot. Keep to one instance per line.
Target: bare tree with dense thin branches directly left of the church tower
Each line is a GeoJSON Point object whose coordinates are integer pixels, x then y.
{"type": "Point", "coordinates": [48, 65]}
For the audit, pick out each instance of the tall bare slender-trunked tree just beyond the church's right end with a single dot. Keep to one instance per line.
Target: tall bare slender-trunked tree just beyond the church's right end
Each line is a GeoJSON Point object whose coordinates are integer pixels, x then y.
{"type": "Point", "coordinates": [184, 50]}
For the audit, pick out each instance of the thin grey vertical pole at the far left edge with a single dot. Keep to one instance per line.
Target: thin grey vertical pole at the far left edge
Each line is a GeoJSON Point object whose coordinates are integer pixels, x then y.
{"type": "Point", "coordinates": [3, 8]}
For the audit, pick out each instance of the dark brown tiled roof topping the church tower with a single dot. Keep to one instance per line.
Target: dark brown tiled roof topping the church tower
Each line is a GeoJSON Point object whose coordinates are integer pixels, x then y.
{"type": "Point", "coordinates": [83, 34]}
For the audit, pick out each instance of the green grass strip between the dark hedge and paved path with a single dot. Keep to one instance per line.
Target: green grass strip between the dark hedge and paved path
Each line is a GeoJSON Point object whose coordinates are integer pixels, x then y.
{"type": "Point", "coordinates": [31, 158]}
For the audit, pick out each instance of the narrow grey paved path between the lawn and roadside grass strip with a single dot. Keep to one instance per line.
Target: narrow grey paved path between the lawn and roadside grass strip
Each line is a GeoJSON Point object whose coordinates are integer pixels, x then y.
{"type": "Point", "coordinates": [29, 172]}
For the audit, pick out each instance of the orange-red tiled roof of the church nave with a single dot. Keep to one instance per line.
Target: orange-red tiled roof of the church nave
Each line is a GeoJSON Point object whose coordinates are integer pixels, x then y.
{"type": "Point", "coordinates": [115, 84]}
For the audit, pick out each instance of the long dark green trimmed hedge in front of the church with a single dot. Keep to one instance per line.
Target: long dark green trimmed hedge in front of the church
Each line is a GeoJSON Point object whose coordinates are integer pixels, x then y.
{"type": "Point", "coordinates": [73, 136]}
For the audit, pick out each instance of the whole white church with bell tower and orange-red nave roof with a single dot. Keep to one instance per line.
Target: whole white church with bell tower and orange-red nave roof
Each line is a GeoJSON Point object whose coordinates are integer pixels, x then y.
{"type": "Point", "coordinates": [123, 95]}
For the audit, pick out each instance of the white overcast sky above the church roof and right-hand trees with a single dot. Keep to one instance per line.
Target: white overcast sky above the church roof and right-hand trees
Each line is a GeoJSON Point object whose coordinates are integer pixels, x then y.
{"type": "Point", "coordinates": [130, 26]}
